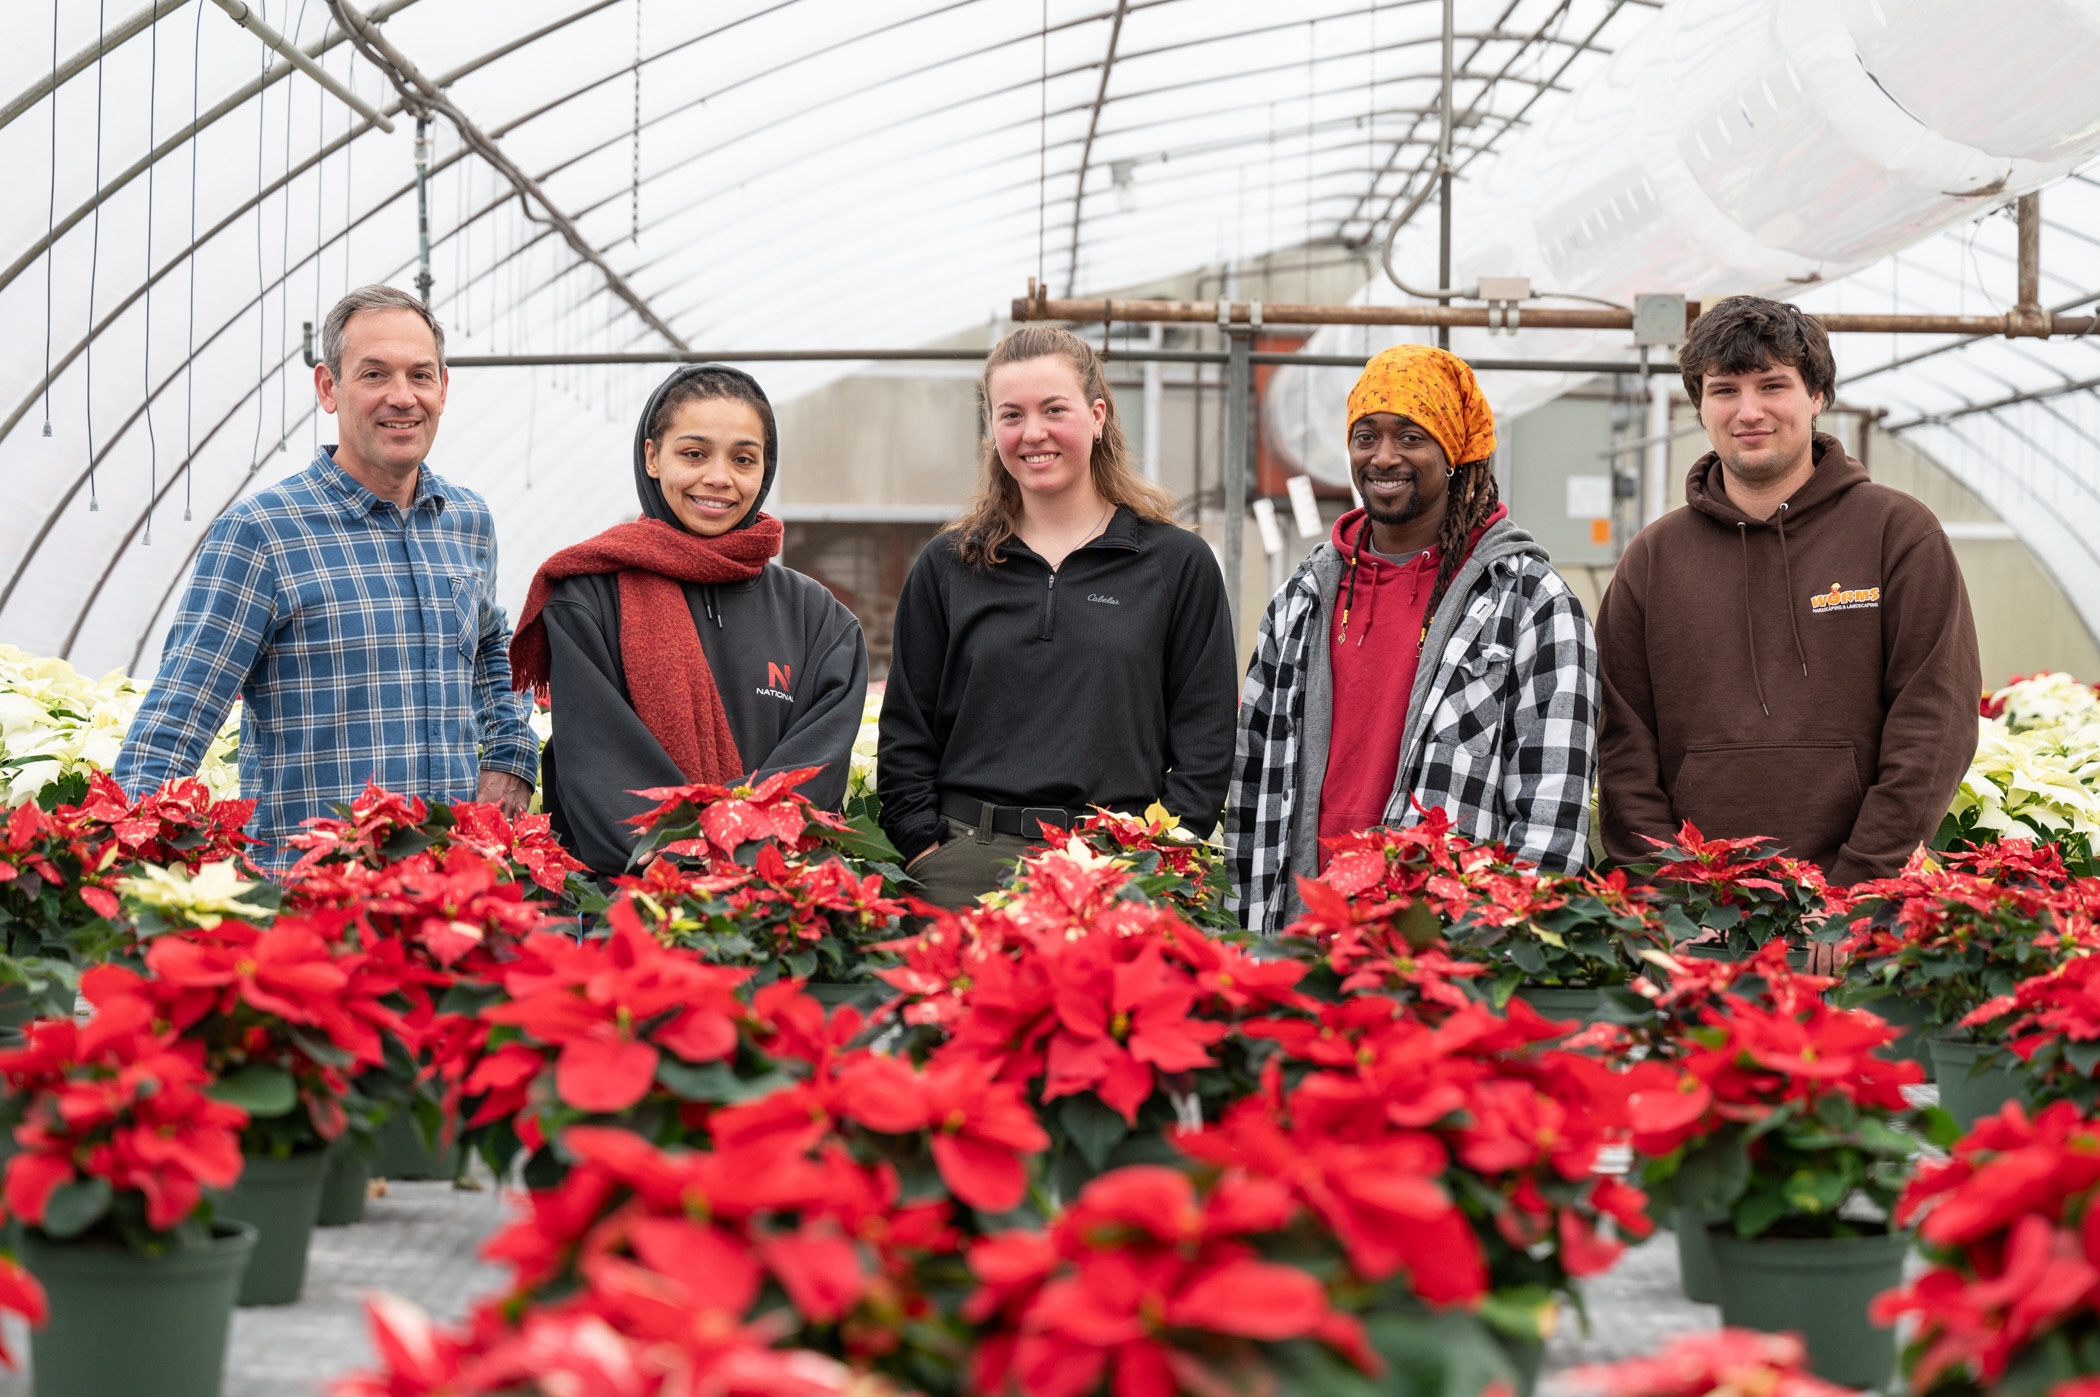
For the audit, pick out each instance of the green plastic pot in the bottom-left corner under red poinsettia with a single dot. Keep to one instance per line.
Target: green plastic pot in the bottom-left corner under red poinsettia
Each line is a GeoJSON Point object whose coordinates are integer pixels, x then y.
{"type": "Point", "coordinates": [133, 1325]}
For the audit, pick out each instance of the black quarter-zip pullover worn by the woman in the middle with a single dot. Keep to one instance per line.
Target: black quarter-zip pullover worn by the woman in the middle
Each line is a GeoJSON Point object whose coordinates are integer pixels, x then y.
{"type": "Point", "coordinates": [1104, 682]}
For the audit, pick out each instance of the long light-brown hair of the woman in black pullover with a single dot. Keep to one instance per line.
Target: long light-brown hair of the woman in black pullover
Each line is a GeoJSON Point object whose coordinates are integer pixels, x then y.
{"type": "Point", "coordinates": [992, 520]}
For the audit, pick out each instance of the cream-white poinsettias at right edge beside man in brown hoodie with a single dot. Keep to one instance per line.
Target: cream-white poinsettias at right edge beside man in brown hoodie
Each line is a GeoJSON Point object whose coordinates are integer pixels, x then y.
{"type": "Point", "coordinates": [2036, 772]}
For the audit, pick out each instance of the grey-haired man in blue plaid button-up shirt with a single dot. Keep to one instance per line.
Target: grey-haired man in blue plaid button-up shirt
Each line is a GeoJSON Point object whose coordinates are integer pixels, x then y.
{"type": "Point", "coordinates": [352, 608]}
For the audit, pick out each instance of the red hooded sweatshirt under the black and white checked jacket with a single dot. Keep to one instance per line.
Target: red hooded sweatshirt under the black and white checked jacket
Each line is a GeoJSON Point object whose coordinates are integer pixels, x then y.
{"type": "Point", "coordinates": [1374, 675]}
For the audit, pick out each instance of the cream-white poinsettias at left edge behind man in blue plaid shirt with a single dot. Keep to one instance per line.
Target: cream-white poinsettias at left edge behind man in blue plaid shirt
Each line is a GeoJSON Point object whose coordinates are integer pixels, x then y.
{"type": "Point", "coordinates": [56, 724]}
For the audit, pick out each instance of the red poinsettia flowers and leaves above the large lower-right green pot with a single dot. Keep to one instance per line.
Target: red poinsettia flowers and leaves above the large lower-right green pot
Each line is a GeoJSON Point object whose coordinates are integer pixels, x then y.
{"type": "Point", "coordinates": [1782, 1112]}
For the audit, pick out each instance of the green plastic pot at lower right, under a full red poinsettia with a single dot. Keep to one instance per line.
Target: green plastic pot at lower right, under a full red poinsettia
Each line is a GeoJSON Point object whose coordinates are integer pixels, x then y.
{"type": "Point", "coordinates": [1820, 1287]}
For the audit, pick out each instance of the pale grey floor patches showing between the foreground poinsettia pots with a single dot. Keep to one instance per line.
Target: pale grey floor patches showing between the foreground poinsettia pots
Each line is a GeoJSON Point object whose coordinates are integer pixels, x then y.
{"type": "Point", "coordinates": [421, 1243]}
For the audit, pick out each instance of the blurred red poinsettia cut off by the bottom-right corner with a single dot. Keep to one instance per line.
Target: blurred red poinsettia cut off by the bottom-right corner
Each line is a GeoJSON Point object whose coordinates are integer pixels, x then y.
{"type": "Point", "coordinates": [2013, 1230]}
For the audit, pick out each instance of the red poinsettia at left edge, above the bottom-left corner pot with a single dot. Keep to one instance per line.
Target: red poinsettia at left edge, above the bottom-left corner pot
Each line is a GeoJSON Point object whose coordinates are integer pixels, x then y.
{"type": "Point", "coordinates": [119, 1133]}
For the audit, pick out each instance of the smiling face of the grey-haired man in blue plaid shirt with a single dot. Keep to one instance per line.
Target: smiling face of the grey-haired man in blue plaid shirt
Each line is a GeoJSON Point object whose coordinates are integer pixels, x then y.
{"type": "Point", "coordinates": [390, 398]}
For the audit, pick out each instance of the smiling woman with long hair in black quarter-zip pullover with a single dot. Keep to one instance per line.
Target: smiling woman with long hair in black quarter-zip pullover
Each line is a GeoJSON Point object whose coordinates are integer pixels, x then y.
{"type": "Point", "coordinates": [1062, 646]}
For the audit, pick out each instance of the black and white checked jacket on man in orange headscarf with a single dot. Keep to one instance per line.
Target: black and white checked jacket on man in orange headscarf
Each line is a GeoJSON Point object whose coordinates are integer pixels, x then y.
{"type": "Point", "coordinates": [1500, 728]}
